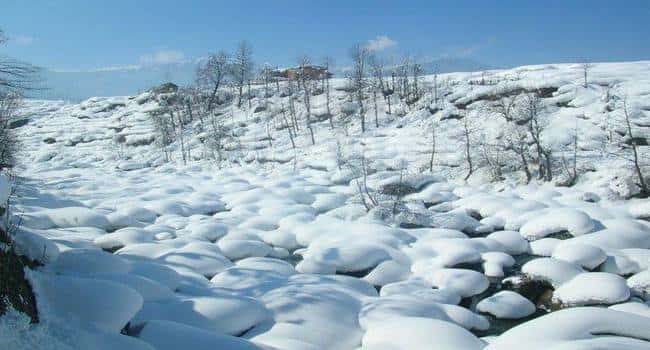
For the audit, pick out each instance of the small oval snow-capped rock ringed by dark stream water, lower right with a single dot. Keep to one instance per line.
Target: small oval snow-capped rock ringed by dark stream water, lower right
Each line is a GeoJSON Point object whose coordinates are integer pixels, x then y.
{"type": "Point", "coordinates": [506, 304]}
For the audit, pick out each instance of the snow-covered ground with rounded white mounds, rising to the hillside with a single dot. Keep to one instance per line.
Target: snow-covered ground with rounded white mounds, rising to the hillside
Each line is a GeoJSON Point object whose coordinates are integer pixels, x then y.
{"type": "Point", "coordinates": [278, 253]}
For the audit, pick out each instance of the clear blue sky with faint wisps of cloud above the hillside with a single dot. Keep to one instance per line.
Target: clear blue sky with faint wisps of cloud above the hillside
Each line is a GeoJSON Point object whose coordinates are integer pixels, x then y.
{"type": "Point", "coordinates": [88, 35]}
